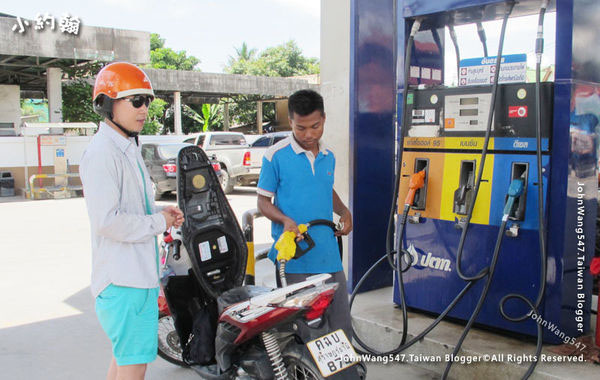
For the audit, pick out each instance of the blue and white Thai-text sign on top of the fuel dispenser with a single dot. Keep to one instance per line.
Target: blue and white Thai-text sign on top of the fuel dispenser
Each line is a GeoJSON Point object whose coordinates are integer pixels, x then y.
{"type": "Point", "coordinates": [478, 71]}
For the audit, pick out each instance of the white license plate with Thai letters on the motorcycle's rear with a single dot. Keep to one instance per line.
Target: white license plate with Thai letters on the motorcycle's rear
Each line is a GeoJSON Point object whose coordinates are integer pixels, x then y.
{"type": "Point", "coordinates": [332, 352]}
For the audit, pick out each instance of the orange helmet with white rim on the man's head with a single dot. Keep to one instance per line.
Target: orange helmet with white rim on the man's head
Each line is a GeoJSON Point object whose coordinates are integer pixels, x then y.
{"type": "Point", "coordinates": [118, 80]}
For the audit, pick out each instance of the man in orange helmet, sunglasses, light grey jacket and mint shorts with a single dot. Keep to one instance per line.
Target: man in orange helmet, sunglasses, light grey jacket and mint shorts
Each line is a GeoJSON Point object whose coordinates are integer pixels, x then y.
{"type": "Point", "coordinates": [124, 221]}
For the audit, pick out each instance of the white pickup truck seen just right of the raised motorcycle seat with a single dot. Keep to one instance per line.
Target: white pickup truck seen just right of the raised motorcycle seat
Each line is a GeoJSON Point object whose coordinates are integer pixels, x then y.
{"type": "Point", "coordinates": [231, 151]}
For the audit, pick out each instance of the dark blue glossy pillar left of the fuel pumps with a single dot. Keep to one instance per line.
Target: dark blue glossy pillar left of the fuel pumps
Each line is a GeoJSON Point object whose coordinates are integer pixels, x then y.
{"type": "Point", "coordinates": [372, 111]}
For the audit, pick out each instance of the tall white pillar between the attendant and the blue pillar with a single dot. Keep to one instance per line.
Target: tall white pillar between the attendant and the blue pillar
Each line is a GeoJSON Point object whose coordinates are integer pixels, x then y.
{"type": "Point", "coordinates": [335, 88]}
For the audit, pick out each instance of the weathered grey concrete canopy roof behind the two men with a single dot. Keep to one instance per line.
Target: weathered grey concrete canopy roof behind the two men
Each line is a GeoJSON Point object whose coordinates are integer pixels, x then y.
{"type": "Point", "coordinates": [24, 58]}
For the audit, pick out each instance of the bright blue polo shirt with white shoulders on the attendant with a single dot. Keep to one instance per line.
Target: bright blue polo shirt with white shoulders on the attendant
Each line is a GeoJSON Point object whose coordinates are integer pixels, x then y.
{"type": "Point", "coordinates": [302, 186]}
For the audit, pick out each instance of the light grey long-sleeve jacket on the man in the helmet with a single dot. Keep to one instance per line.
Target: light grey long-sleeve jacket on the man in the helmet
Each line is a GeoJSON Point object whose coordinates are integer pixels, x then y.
{"type": "Point", "coordinates": [123, 236]}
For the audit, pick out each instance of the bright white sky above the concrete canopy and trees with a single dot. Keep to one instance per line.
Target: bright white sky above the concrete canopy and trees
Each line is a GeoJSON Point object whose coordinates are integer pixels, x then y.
{"type": "Point", "coordinates": [207, 29]}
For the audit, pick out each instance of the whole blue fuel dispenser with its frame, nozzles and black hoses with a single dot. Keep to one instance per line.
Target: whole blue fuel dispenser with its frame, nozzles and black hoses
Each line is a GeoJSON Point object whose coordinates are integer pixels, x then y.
{"type": "Point", "coordinates": [501, 230]}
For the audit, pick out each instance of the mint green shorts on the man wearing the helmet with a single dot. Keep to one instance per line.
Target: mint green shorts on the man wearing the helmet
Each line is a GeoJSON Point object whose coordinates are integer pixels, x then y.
{"type": "Point", "coordinates": [129, 316]}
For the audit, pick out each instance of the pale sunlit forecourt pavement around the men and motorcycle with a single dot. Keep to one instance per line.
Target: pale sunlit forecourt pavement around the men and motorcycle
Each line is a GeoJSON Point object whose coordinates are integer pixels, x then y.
{"type": "Point", "coordinates": [48, 328]}
